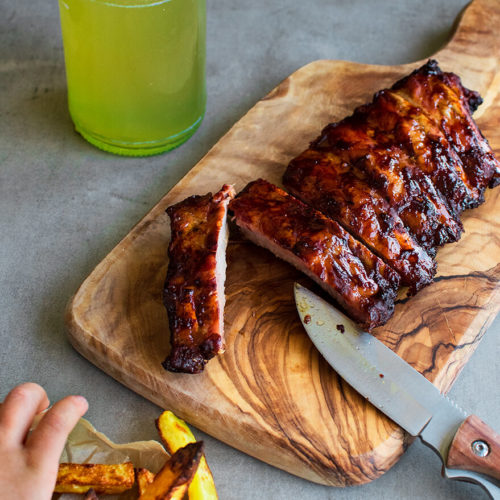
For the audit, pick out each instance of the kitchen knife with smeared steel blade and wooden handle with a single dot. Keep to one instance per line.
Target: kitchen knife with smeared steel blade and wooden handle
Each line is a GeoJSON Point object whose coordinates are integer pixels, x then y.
{"type": "Point", "coordinates": [469, 449]}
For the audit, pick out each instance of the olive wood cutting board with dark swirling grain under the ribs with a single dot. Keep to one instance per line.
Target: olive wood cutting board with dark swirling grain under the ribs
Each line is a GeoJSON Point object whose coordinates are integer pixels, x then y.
{"type": "Point", "coordinates": [271, 394]}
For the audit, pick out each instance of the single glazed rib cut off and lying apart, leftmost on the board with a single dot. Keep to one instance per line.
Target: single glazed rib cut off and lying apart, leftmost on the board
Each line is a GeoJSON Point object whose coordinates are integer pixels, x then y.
{"type": "Point", "coordinates": [194, 287]}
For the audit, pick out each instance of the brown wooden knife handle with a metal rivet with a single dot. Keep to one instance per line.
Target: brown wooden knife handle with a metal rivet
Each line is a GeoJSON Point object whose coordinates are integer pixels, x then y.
{"type": "Point", "coordinates": [475, 447]}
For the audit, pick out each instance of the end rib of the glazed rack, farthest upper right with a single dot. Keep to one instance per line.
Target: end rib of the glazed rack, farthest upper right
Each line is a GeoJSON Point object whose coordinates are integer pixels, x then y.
{"type": "Point", "coordinates": [443, 98]}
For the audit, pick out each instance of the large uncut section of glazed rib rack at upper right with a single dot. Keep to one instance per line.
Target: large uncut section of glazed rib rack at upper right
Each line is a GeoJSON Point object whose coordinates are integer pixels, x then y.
{"type": "Point", "coordinates": [416, 148]}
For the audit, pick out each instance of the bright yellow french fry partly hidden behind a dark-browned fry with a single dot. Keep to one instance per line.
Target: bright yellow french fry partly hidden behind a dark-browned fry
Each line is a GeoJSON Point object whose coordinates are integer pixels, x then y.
{"type": "Point", "coordinates": [175, 434]}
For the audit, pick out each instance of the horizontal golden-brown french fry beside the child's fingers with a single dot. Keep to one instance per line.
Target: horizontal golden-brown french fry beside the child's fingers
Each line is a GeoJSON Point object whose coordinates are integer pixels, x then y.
{"type": "Point", "coordinates": [103, 478]}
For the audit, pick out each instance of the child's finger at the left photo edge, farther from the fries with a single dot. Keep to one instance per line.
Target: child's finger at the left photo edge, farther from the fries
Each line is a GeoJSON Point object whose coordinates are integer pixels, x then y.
{"type": "Point", "coordinates": [18, 410]}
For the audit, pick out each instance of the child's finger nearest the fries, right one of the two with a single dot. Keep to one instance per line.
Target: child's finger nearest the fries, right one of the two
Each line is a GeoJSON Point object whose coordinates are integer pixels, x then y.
{"type": "Point", "coordinates": [45, 444]}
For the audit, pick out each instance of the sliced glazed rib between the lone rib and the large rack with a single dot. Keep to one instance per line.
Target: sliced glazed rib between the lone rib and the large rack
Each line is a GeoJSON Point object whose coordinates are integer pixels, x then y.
{"type": "Point", "coordinates": [358, 280]}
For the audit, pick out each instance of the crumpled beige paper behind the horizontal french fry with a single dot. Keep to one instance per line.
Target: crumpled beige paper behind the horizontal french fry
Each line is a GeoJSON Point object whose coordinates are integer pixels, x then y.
{"type": "Point", "coordinates": [86, 445]}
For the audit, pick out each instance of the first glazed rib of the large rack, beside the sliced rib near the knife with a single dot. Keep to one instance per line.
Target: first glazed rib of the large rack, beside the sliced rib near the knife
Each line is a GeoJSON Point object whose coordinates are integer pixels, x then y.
{"type": "Point", "coordinates": [323, 180]}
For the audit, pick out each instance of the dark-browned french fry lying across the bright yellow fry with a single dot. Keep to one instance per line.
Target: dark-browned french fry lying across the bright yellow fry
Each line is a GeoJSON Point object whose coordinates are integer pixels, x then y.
{"type": "Point", "coordinates": [172, 482]}
